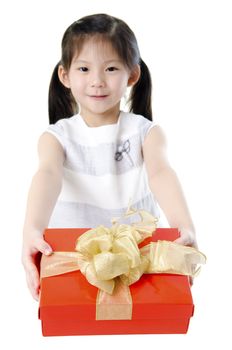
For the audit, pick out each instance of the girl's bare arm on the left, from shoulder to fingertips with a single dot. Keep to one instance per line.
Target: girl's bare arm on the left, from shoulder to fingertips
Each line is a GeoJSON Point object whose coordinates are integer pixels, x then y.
{"type": "Point", "coordinates": [44, 190]}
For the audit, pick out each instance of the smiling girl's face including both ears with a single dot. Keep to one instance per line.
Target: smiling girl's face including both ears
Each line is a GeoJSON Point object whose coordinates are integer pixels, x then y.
{"type": "Point", "coordinates": [98, 79]}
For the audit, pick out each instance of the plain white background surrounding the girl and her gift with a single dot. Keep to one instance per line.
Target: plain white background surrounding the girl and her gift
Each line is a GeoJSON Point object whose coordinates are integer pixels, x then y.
{"type": "Point", "coordinates": [187, 45]}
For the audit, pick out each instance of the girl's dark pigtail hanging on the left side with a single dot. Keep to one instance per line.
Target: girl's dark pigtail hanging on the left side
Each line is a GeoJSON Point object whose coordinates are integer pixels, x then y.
{"type": "Point", "coordinates": [61, 103]}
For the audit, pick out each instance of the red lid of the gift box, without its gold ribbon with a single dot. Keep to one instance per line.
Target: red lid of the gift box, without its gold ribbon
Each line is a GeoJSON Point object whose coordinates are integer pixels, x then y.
{"type": "Point", "coordinates": [154, 295]}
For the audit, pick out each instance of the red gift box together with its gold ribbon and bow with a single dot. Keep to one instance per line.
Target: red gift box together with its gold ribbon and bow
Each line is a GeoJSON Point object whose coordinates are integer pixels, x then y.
{"type": "Point", "coordinates": [100, 282]}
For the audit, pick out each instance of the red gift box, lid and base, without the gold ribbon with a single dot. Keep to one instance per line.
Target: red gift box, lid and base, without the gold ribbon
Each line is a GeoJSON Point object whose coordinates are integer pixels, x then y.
{"type": "Point", "coordinates": [162, 303]}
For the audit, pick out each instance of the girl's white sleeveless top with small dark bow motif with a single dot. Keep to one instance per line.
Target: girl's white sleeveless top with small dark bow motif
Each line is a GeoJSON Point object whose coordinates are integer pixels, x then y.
{"type": "Point", "coordinates": [103, 169]}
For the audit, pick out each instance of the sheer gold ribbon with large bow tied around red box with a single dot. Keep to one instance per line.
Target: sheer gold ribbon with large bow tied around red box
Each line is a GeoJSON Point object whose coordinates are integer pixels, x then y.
{"type": "Point", "coordinates": [111, 260]}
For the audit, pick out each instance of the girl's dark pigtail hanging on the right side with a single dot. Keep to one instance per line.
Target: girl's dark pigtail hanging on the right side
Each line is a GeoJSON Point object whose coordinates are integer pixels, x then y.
{"type": "Point", "coordinates": [140, 97]}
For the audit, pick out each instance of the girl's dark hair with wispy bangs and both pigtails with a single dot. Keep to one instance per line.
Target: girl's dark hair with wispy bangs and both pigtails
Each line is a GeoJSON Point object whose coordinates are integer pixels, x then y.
{"type": "Point", "coordinates": [107, 28]}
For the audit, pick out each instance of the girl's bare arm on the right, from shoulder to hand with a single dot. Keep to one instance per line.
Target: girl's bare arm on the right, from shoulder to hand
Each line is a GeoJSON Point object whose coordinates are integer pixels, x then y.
{"type": "Point", "coordinates": [166, 187]}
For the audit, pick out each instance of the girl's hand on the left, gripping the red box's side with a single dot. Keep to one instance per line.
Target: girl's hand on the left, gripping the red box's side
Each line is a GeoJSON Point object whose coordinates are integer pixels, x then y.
{"type": "Point", "coordinates": [31, 254]}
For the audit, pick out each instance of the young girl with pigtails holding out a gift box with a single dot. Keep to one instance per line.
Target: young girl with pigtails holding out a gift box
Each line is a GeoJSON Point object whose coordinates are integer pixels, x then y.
{"type": "Point", "coordinates": [94, 157]}
